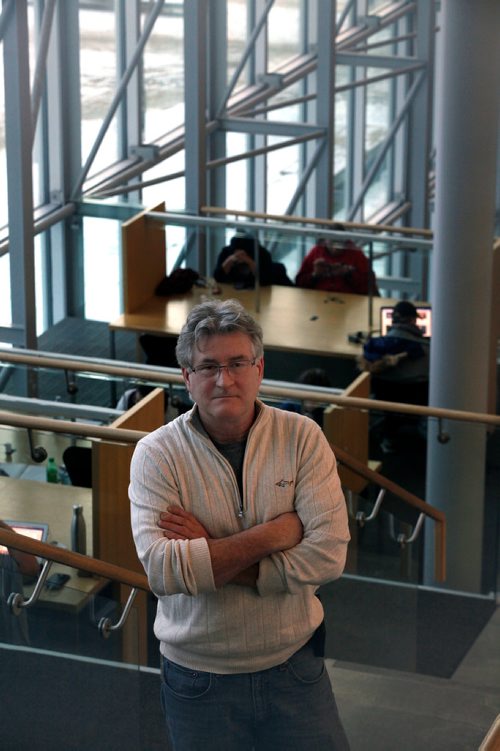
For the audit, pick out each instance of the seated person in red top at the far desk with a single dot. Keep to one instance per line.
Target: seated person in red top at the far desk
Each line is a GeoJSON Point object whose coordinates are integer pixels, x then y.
{"type": "Point", "coordinates": [336, 266]}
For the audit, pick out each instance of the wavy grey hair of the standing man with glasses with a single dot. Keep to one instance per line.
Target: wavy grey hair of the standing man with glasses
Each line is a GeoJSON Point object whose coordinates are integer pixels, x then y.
{"type": "Point", "coordinates": [216, 317]}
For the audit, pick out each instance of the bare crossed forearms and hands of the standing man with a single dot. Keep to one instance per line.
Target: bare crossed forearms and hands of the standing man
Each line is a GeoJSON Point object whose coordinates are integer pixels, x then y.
{"type": "Point", "coordinates": [235, 558]}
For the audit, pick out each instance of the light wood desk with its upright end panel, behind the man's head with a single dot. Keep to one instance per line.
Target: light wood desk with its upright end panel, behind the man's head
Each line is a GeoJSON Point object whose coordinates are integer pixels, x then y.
{"type": "Point", "coordinates": [293, 320]}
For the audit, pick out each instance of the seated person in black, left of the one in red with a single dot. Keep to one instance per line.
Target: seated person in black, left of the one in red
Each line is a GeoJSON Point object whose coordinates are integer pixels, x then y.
{"type": "Point", "coordinates": [236, 265]}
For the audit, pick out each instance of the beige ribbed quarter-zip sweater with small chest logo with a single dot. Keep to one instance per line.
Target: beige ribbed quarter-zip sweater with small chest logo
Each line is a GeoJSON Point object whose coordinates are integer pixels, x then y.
{"type": "Point", "coordinates": [288, 466]}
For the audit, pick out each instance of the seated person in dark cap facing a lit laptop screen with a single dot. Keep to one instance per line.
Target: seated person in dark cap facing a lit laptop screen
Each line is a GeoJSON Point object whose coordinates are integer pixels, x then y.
{"type": "Point", "coordinates": [399, 364]}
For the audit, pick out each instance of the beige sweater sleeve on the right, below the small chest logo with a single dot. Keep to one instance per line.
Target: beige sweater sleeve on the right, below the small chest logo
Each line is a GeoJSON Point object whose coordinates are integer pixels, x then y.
{"type": "Point", "coordinates": [320, 556]}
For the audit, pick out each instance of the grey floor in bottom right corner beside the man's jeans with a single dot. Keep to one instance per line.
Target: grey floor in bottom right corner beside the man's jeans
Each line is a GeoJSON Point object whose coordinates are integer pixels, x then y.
{"type": "Point", "coordinates": [386, 710]}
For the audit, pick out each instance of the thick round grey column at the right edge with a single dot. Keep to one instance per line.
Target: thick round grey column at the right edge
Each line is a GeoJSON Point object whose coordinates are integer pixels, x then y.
{"type": "Point", "coordinates": [468, 86]}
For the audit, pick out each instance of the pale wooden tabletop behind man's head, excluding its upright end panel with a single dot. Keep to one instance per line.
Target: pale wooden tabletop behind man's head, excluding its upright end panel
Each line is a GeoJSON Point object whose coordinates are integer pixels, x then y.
{"type": "Point", "coordinates": [292, 319]}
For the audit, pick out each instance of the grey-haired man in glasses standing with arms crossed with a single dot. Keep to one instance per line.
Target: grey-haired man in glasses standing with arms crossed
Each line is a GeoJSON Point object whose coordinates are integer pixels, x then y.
{"type": "Point", "coordinates": [238, 516]}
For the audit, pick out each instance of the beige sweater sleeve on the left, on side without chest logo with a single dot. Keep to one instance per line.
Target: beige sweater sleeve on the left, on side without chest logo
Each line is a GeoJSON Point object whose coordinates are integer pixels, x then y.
{"type": "Point", "coordinates": [172, 566]}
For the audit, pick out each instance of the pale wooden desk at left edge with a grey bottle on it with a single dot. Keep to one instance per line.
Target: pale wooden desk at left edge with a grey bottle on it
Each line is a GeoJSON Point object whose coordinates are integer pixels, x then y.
{"type": "Point", "coordinates": [29, 500]}
